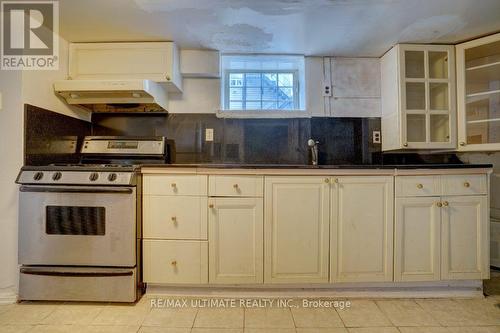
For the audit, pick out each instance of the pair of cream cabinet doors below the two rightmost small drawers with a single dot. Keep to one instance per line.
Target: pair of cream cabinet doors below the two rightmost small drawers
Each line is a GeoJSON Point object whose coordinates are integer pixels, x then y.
{"type": "Point", "coordinates": [442, 238]}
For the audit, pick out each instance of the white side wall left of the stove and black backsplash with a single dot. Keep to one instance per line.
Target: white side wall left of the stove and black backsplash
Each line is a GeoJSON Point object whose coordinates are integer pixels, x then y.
{"type": "Point", "coordinates": [18, 88]}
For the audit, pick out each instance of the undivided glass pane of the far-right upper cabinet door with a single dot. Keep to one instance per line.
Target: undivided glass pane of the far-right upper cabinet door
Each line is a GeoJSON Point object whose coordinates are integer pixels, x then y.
{"type": "Point", "coordinates": [482, 94]}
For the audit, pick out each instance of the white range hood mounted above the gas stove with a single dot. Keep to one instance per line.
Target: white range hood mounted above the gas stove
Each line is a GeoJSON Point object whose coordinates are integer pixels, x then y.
{"type": "Point", "coordinates": [115, 92]}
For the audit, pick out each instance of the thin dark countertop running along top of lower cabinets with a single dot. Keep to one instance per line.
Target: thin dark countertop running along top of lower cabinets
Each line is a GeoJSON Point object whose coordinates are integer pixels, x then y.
{"type": "Point", "coordinates": [319, 167]}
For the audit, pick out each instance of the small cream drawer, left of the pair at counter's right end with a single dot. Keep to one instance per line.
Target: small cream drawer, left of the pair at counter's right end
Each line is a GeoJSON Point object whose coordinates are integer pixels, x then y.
{"type": "Point", "coordinates": [415, 186]}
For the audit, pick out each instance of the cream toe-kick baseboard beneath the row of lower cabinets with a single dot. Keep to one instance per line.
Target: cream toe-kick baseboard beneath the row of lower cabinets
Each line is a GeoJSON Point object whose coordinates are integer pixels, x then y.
{"type": "Point", "coordinates": [441, 289]}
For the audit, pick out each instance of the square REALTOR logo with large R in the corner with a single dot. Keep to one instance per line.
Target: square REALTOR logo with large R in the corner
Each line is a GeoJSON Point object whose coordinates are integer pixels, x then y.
{"type": "Point", "coordinates": [30, 35]}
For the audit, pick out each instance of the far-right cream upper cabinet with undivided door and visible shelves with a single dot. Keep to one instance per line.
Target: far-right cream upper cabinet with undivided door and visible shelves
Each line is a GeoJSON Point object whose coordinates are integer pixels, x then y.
{"type": "Point", "coordinates": [478, 89]}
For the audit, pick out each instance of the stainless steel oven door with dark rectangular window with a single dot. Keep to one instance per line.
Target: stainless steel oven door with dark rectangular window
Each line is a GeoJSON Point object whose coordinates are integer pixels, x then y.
{"type": "Point", "coordinates": [77, 226]}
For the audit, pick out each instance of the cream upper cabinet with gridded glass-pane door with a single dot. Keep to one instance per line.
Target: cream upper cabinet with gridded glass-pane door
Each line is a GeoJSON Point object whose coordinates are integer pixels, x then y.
{"type": "Point", "coordinates": [418, 97]}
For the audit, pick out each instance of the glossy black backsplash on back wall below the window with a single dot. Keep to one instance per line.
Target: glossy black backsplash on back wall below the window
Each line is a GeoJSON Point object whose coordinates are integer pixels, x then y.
{"type": "Point", "coordinates": [270, 141]}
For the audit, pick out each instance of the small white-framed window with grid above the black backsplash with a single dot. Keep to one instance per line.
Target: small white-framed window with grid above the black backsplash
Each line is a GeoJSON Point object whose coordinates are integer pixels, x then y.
{"type": "Point", "coordinates": [254, 83]}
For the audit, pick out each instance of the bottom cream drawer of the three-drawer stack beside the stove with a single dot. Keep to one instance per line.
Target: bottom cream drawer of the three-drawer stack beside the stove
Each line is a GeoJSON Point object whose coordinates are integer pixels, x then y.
{"type": "Point", "coordinates": [175, 262]}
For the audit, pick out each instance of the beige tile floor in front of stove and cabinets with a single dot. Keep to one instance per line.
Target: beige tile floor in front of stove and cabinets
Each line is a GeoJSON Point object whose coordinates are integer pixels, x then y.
{"type": "Point", "coordinates": [363, 316]}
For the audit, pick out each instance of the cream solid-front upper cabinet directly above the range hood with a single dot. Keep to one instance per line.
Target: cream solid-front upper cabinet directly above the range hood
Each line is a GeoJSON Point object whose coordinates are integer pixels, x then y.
{"type": "Point", "coordinates": [155, 61]}
